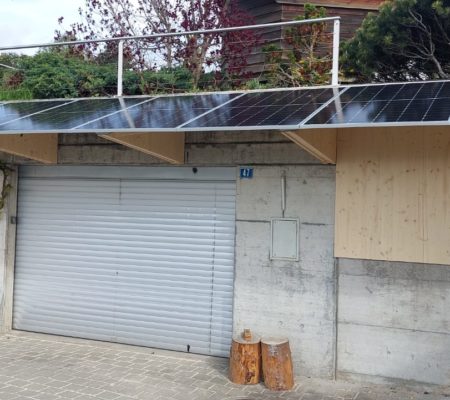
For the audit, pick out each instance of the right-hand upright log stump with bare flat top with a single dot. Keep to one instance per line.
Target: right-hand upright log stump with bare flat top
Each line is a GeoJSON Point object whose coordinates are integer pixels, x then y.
{"type": "Point", "coordinates": [277, 363]}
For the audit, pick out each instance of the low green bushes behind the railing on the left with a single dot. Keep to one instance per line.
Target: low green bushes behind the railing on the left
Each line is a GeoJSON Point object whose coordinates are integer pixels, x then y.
{"type": "Point", "coordinates": [63, 74]}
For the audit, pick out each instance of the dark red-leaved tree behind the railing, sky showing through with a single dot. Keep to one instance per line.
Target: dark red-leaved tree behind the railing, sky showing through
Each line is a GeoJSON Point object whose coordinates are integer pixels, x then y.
{"type": "Point", "coordinates": [224, 53]}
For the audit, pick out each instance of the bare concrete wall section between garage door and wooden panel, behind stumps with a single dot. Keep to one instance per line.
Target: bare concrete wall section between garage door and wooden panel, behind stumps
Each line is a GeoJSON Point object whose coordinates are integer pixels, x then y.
{"type": "Point", "coordinates": [280, 298]}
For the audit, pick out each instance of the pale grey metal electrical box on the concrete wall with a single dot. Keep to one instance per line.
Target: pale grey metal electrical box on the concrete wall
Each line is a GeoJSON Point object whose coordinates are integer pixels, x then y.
{"type": "Point", "coordinates": [284, 239]}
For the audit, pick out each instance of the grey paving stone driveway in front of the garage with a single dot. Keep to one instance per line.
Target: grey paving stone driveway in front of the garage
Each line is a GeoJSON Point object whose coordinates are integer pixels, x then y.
{"type": "Point", "coordinates": [43, 367]}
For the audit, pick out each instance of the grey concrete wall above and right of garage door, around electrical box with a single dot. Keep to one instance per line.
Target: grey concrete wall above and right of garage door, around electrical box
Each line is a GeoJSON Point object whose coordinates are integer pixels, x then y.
{"type": "Point", "coordinates": [272, 298]}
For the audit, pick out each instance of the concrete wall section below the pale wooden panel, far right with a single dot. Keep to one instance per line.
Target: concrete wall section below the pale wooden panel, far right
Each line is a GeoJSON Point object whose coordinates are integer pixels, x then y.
{"type": "Point", "coordinates": [394, 321]}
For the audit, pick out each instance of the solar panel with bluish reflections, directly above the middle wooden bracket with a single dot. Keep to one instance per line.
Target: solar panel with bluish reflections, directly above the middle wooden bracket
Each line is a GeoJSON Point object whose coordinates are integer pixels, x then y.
{"type": "Point", "coordinates": [162, 112]}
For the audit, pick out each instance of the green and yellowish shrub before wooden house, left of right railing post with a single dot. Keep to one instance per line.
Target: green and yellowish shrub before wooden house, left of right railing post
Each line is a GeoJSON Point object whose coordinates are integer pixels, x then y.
{"type": "Point", "coordinates": [302, 59]}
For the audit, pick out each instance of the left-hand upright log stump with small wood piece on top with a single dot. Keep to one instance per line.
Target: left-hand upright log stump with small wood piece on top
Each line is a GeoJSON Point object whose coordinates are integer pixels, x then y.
{"type": "Point", "coordinates": [245, 360]}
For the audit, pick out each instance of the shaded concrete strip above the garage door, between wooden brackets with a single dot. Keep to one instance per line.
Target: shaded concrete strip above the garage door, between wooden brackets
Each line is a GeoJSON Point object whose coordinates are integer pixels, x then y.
{"type": "Point", "coordinates": [204, 148]}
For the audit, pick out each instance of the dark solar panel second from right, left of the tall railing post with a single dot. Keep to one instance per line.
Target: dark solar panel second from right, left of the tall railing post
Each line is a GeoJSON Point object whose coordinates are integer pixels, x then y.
{"type": "Point", "coordinates": [277, 108]}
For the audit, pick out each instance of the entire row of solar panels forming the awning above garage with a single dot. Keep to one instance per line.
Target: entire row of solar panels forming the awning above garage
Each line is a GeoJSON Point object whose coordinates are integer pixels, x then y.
{"type": "Point", "coordinates": [369, 105]}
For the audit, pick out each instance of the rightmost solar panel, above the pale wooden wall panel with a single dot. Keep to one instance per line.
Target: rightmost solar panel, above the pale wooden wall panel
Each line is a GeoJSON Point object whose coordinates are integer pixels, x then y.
{"type": "Point", "coordinates": [392, 103]}
